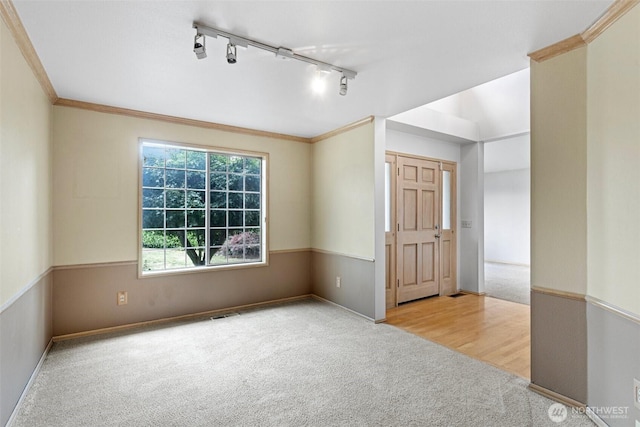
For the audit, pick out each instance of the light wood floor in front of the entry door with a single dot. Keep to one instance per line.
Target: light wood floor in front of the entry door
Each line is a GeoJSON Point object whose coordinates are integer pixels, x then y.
{"type": "Point", "coordinates": [492, 330]}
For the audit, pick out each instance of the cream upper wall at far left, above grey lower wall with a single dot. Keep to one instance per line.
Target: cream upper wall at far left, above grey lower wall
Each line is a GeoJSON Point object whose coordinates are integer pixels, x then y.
{"type": "Point", "coordinates": [25, 173]}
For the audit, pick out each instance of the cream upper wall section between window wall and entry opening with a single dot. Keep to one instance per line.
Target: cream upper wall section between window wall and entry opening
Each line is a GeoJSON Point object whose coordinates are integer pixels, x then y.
{"type": "Point", "coordinates": [343, 193]}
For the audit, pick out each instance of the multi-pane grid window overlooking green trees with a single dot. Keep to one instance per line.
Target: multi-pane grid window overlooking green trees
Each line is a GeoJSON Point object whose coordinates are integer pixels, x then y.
{"type": "Point", "coordinates": [200, 208]}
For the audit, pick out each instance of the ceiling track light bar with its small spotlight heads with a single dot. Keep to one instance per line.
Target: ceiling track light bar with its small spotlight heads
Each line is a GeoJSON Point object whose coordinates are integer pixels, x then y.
{"type": "Point", "coordinates": [280, 52]}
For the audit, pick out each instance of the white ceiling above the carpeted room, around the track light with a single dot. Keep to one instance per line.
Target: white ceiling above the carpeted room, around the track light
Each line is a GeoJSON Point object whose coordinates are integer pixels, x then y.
{"type": "Point", "coordinates": [138, 54]}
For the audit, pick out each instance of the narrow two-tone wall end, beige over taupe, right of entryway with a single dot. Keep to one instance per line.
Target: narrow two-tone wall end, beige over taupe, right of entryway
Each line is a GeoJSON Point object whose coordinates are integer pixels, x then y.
{"type": "Point", "coordinates": [559, 224]}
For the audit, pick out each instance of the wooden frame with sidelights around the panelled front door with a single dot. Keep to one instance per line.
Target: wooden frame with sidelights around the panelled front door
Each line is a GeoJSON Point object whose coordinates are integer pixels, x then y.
{"type": "Point", "coordinates": [446, 165]}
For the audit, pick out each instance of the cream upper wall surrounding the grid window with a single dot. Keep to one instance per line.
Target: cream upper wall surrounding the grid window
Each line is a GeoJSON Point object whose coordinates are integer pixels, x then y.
{"type": "Point", "coordinates": [95, 164]}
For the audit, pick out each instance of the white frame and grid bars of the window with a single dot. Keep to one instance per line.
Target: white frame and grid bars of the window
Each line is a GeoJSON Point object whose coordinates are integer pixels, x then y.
{"type": "Point", "coordinates": [264, 258]}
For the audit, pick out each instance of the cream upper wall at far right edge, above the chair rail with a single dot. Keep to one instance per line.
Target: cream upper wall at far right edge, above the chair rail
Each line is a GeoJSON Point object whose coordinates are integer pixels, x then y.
{"type": "Point", "coordinates": [614, 164]}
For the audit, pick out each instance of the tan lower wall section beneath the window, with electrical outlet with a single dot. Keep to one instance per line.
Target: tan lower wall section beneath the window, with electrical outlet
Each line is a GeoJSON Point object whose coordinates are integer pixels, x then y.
{"type": "Point", "coordinates": [84, 298]}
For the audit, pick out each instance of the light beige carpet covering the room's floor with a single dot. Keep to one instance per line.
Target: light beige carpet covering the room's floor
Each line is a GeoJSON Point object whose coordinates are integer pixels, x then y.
{"type": "Point", "coordinates": [306, 363]}
